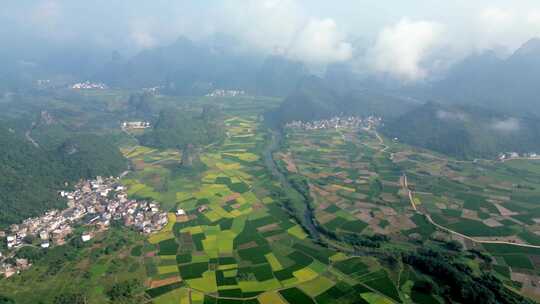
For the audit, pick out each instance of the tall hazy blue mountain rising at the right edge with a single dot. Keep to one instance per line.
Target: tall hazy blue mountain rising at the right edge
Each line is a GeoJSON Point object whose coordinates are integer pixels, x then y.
{"type": "Point", "coordinates": [510, 85]}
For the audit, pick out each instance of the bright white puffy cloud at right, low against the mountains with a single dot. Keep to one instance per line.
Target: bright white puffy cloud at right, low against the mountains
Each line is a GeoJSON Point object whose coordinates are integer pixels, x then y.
{"type": "Point", "coordinates": [400, 49]}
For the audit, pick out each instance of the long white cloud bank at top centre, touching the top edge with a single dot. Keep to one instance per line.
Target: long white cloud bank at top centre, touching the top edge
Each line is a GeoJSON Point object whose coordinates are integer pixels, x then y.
{"type": "Point", "coordinates": [283, 26]}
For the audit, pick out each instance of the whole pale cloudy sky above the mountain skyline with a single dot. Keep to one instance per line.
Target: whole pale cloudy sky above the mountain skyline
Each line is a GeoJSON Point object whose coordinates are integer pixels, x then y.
{"type": "Point", "coordinates": [407, 39]}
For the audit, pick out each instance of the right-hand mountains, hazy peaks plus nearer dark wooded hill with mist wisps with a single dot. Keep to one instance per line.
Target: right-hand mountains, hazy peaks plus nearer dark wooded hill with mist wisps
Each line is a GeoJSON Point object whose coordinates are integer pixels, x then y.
{"type": "Point", "coordinates": [485, 105]}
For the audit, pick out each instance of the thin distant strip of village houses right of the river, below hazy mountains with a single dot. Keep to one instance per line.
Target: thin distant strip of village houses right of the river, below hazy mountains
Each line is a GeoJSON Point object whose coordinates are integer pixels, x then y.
{"type": "Point", "coordinates": [337, 123]}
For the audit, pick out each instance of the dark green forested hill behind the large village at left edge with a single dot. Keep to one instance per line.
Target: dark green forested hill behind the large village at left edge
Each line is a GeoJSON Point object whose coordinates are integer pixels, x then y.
{"type": "Point", "coordinates": [31, 176]}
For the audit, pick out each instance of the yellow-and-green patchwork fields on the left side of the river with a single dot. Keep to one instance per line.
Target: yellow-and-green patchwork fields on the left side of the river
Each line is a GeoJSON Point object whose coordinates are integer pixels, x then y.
{"type": "Point", "coordinates": [235, 243]}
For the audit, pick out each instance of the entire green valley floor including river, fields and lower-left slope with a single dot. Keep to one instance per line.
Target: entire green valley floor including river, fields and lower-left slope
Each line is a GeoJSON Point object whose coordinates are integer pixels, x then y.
{"type": "Point", "coordinates": [304, 216]}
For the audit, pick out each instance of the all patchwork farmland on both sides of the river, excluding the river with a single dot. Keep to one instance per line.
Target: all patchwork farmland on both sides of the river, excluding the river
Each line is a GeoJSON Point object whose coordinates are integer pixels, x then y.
{"type": "Point", "coordinates": [235, 239]}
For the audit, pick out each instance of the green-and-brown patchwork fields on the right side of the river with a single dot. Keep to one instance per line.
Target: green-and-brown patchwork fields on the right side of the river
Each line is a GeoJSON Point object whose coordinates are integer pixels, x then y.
{"type": "Point", "coordinates": [359, 190]}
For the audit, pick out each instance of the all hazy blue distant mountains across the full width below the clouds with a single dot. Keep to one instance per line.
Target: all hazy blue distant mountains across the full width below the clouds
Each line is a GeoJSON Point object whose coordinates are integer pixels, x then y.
{"type": "Point", "coordinates": [186, 67]}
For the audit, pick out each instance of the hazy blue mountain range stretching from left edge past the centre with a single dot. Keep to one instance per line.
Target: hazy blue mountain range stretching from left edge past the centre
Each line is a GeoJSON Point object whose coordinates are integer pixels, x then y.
{"type": "Point", "coordinates": [185, 67]}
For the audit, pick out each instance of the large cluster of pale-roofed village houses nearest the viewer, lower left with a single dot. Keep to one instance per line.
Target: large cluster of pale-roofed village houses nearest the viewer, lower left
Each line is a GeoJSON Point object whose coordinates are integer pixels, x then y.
{"type": "Point", "coordinates": [93, 204]}
